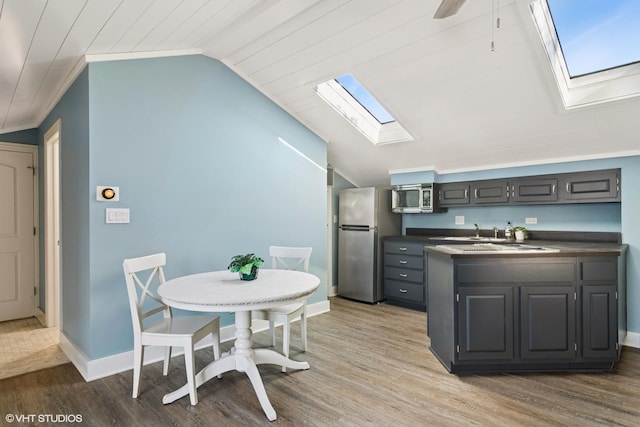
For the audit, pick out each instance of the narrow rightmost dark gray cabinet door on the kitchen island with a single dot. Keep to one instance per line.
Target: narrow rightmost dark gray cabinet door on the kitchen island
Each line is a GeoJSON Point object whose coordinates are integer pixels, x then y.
{"type": "Point", "coordinates": [599, 321]}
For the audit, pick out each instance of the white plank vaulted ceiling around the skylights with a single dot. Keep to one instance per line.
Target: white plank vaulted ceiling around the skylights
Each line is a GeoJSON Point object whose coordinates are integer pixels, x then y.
{"type": "Point", "coordinates": [467, 107]}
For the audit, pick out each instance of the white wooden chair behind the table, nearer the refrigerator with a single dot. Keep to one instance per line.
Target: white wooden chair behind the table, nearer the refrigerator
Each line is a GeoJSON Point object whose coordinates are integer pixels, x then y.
{"type": "Point", "coordinates": [289, 258]}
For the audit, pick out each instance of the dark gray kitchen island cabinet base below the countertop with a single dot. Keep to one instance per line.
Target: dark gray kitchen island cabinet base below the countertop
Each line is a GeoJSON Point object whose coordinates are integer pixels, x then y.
{"type": "Point", "coordinates": [523, 314]}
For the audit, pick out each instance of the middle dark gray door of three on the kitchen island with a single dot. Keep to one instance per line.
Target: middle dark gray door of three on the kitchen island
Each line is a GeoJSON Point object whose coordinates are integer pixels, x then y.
{"type": "Point", "coordinates": [547, 322]}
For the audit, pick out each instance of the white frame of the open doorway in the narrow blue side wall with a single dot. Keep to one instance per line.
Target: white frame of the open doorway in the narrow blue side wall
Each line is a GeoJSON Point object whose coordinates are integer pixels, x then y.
{"type": "Point", "coordinates": [52, 225]}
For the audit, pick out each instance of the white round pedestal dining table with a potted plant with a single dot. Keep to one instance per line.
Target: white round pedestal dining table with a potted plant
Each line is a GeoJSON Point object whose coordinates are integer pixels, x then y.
{"type": "Point", "coordinates": [223, 291]}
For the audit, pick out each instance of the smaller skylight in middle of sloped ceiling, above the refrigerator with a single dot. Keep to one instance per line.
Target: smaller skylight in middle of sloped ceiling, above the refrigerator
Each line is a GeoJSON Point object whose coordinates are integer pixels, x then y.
{"type": "Point", "coordinates": [349, 98]}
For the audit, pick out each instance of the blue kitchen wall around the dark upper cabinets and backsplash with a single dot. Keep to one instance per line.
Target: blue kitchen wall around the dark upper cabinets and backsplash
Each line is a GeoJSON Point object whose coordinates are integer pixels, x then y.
{"type": "Point", "coordinates": [614, 217]}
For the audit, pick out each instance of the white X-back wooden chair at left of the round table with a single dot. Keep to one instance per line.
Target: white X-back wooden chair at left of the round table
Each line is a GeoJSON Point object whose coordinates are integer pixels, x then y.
{"type": "Point", "coordinates": [167, 331]}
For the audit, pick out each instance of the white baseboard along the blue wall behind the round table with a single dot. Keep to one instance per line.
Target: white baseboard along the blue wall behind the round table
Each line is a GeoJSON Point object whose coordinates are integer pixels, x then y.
{"type": "Point", "coordinates": [110, 365]}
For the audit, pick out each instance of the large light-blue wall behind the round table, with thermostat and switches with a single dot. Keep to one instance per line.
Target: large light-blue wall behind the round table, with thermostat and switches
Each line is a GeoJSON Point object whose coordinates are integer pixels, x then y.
{"type": "Point", "coordinates": [196, 153]}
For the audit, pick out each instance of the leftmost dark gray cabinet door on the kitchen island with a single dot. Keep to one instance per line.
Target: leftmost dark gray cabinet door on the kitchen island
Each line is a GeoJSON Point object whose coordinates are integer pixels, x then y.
{"type": "Point", "coordinates": [485, 323]}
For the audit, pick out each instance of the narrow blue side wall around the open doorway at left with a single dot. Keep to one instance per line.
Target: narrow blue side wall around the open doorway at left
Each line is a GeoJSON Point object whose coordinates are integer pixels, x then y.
{"type": "Point", "coordinates": [75, 296]}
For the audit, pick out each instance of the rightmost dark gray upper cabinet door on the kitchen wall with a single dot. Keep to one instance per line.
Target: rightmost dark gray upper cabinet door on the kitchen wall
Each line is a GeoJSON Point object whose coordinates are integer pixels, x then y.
{"type": "Point", "coordinates": [595, 186]}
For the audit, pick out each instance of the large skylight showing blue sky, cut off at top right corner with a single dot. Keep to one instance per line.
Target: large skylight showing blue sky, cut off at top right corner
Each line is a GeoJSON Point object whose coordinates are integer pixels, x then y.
{"type": "Point", "coordinates": [592, 48]}
